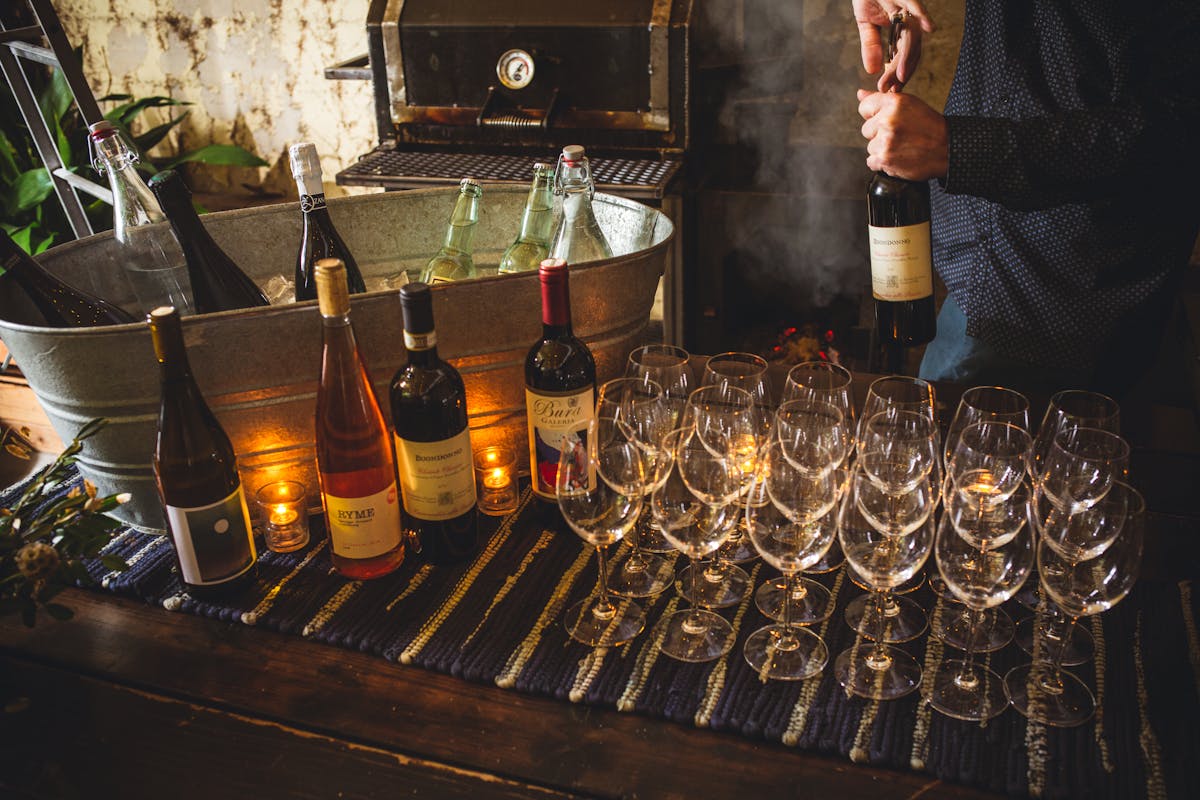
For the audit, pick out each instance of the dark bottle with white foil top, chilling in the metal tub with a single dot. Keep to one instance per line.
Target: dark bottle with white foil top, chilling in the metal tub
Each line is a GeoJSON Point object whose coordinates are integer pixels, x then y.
{"type": "Point", "coordinates": [320, 238]}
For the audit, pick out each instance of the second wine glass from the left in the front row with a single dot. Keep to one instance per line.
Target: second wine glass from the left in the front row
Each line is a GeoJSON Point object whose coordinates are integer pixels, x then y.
{"type": "Point", "coordinates": [694, 502]}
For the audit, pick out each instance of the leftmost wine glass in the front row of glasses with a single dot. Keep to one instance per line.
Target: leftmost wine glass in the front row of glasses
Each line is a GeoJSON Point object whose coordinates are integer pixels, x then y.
{"type": "Point", "coordinates": [599, 489]}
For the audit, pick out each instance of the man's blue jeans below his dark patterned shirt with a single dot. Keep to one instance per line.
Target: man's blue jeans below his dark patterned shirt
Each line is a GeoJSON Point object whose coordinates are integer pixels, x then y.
{"type": "Point", "coordinates": [962, 359]}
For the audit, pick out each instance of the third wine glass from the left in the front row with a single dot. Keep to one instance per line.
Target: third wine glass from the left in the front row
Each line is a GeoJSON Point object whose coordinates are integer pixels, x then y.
{"type": "Point", "coordinates": [791, 532]}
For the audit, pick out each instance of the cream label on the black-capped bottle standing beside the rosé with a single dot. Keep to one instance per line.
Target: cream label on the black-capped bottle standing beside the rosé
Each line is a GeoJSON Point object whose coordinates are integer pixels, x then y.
{"type": "Point", "coordinates": [437, 479]}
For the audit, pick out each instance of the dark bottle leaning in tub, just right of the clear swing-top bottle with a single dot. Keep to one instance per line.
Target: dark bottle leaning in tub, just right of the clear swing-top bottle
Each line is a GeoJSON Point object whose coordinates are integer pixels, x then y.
{"type": "Point", "coordinates": [218, 284]}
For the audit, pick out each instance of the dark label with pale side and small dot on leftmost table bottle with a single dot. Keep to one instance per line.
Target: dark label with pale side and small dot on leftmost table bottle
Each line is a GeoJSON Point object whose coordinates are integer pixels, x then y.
{"type": "Point", "coordinates": [214, 543]}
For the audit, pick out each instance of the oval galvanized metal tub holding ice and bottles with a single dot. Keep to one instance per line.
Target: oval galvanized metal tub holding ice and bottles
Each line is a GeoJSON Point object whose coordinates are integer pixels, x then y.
{"type": "Point", "coordinates": [259, 369]}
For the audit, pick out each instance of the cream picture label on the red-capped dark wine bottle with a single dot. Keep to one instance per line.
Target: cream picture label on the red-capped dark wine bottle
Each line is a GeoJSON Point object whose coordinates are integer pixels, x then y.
{"type": "Point", "coordinates": [553, 418]}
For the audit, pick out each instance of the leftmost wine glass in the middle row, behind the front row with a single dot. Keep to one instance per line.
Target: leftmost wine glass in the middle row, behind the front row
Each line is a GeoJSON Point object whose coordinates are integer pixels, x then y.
{"type": "Point", "coordinates": [638, 406]}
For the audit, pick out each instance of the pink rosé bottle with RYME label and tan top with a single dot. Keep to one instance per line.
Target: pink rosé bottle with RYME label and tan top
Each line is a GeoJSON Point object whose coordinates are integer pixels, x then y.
{"type": "Point", "coordinates": [355, 462]}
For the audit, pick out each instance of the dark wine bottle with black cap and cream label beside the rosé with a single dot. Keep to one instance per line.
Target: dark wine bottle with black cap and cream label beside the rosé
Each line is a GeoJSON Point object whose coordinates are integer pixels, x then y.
{"type": "Point", "coordinates": [434, 458]}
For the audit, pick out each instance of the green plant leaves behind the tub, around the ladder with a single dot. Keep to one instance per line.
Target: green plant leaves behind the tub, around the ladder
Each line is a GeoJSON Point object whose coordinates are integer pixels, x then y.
{"type": "Point", "coordinates": [29, 208]}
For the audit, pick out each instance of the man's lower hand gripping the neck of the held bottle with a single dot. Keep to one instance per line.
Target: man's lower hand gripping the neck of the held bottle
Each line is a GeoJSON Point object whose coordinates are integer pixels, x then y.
{"type": "Point", "coordinates": [907, 139]}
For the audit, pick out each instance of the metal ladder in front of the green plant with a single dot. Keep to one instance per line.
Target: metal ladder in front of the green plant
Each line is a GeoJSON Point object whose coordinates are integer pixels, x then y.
{"type": "Point", "coordinates": [47, 44]}
